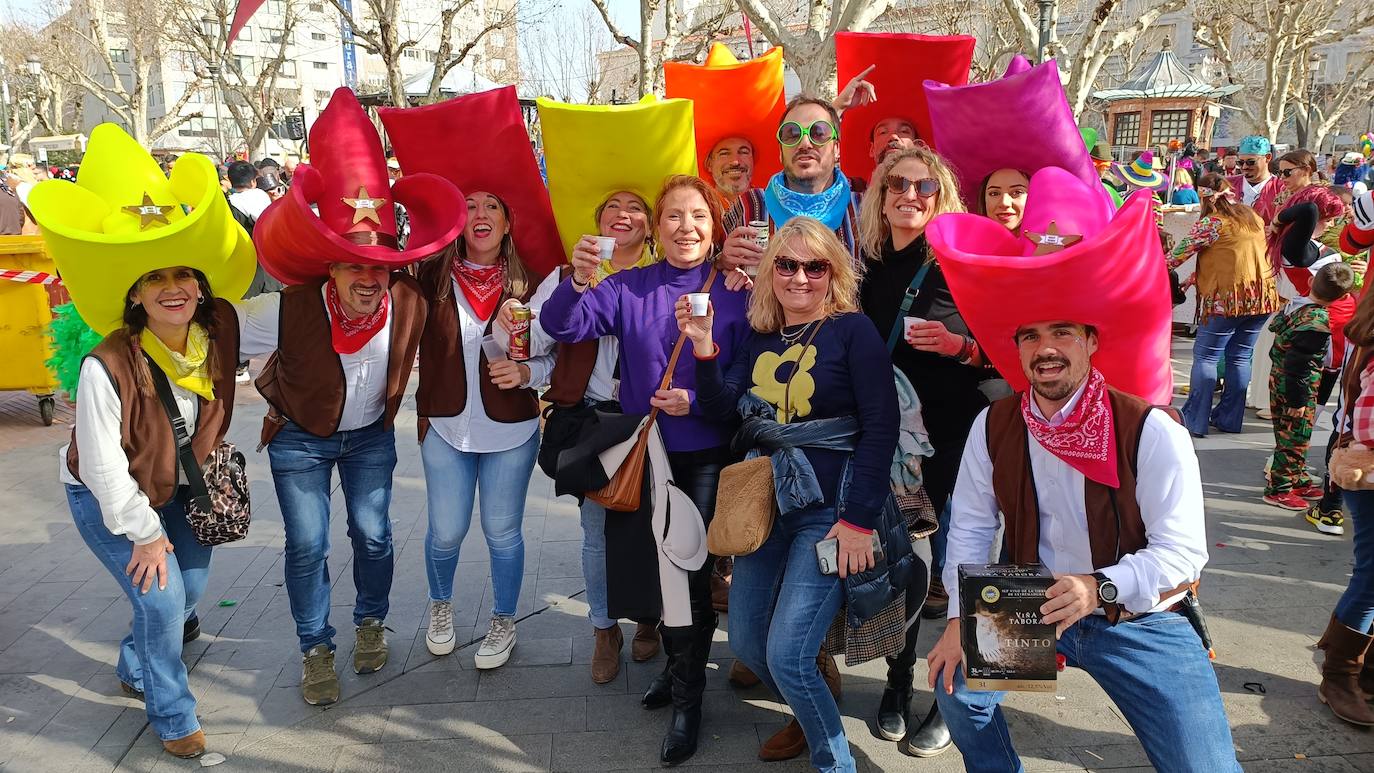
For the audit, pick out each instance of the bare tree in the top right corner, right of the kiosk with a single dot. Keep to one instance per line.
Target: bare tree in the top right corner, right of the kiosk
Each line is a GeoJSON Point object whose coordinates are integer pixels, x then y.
{"type": "Point", "coordinates": [1266, 45]}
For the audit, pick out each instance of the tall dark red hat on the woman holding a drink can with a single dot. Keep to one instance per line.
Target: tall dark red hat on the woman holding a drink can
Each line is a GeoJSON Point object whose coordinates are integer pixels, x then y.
{"type": "Point", "coordinates": [497, 159]}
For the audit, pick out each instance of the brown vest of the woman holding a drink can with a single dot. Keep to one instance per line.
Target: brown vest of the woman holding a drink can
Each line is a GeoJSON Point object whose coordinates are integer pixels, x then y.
{"type": "Point", "coordinates": [443, 389]}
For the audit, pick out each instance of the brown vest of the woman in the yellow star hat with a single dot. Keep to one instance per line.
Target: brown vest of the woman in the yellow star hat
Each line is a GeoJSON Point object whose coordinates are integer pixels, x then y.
{"type": "Point", "coordinates": [145, 428]}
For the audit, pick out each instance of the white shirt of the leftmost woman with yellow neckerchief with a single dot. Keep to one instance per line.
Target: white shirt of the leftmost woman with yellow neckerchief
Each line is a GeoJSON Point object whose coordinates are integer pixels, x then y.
{"type": "Point", "coordinates": [104, 466]}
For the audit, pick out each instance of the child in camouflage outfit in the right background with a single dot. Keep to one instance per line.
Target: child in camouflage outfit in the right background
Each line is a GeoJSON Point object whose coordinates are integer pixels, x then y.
{"type": "Point", "coordinates": [1302, 338]}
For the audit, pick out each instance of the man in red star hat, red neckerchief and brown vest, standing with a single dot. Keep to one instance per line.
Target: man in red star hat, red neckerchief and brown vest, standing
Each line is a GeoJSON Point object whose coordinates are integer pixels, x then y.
{"type": "Point", "coordinates": [343, 340]}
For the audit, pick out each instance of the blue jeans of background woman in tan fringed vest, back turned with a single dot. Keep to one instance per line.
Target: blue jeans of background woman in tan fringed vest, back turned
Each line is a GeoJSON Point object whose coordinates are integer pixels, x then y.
{"type": "Point", "coordinates": [1233, 340]}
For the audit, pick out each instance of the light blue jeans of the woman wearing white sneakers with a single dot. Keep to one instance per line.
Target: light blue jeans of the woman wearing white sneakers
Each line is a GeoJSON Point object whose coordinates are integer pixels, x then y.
{"type": "Point", "coordinates": [453, 481]}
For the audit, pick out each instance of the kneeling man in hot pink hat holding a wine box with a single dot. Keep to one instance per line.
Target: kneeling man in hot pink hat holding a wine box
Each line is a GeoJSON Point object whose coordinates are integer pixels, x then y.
{"type": "Point", "coordinates": [1086, 476]}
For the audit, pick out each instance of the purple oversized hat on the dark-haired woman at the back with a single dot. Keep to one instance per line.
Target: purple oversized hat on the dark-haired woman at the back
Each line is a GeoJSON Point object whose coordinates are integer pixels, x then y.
{"type": "Point", "coordinates": [1026, 100]}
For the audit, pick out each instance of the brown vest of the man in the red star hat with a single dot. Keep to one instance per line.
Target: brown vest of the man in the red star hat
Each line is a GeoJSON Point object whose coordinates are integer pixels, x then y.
{"type": "Point", "coordinates": [304, 378]}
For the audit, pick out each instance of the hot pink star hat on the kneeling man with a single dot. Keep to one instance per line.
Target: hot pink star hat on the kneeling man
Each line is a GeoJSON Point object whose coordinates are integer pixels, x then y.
{"type": "Point", "coordinates": [1093, 268]}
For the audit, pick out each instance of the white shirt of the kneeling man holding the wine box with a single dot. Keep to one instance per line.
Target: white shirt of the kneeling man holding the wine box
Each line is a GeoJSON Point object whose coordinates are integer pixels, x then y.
{"type": "Point", "coordinates": [1169, 491]}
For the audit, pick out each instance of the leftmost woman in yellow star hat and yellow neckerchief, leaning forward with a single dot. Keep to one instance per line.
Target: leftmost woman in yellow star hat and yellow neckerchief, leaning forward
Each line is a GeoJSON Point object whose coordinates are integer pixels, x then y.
{"type": "Point", "coordinates": [150, 263]}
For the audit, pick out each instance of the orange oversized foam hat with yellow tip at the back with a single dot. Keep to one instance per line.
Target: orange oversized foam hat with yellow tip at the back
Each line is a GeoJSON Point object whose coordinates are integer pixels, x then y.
{"type": "Point", "coordinates": [733, 100]}
